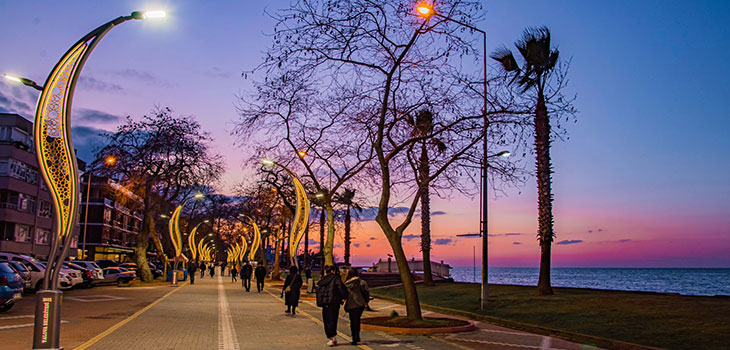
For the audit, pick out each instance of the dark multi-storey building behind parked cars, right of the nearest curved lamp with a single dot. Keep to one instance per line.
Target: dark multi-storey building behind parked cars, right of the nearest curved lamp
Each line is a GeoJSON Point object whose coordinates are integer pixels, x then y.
{"type": "Point", "coordinates": [115, 219]}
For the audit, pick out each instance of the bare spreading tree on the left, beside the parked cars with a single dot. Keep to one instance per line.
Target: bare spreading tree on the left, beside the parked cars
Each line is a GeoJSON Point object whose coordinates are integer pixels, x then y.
{"type": "Point", "coordinates": [159, 157]}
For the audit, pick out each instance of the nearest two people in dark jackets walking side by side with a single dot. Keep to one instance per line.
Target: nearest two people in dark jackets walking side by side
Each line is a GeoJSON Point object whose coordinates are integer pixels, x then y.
{"type": "Point", "coordinates": [331, 292]}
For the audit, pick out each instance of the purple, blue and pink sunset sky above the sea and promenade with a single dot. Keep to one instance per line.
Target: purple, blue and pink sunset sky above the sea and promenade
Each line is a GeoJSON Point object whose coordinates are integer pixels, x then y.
{"type": "Point", "coordinates": [642, 181]}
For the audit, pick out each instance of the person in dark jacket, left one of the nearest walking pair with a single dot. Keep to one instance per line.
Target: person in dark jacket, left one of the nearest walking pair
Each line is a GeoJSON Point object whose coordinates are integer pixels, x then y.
{"type": "Point", "coordinates": [330, 293]}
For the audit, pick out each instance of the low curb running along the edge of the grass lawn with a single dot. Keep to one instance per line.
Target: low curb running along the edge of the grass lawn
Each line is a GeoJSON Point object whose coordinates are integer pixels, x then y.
{"type": "Point", "coordinates": [556, 333]}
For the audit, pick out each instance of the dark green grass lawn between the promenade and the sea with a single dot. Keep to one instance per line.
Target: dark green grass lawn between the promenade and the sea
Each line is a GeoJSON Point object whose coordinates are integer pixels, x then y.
{"type": "Point", "coordinates": [667, 321]}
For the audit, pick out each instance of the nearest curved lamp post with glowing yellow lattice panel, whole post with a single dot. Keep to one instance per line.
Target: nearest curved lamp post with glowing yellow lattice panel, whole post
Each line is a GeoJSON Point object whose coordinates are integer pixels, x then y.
{"type": "Point", "coordinates": [57, 160]}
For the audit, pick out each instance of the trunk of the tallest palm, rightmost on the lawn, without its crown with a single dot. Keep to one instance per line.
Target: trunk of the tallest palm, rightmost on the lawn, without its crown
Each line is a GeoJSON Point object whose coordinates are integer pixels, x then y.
{"type": "Point", "coordinates": [544, 193]}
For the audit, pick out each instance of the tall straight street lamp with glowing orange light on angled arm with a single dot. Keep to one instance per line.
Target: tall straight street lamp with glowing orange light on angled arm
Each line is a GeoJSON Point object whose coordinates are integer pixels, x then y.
{"type": "Point", "coordinates": [427, 11]}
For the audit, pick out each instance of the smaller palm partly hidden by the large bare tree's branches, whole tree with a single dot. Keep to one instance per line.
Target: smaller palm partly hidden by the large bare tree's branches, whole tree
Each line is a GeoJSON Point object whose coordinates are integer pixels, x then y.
{"type": "Point", "coordinates": [422, 127]}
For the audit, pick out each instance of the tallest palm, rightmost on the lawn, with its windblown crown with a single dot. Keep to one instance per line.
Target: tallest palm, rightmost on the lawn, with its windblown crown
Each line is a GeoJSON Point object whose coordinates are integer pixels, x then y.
{"type": "Point", "coordinates": [539, 60]}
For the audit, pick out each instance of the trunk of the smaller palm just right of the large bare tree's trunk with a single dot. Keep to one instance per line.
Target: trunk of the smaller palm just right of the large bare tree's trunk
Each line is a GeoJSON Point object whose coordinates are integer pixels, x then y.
{"type": "Point", "coordinates": [423, 173]}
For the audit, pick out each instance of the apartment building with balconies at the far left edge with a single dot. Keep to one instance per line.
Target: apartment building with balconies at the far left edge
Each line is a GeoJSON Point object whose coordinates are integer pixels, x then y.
{"type": "Point", "coordinates": [26, 210]}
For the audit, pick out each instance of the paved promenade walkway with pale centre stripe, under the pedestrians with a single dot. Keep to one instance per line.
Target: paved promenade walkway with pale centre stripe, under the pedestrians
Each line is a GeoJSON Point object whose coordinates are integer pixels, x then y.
{"type": "Point", "coordinates": [217, 314]}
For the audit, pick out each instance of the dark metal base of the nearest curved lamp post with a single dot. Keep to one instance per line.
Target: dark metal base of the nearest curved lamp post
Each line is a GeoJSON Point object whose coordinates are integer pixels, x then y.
{"type": "Point", "coordinates": [47, 330]}
